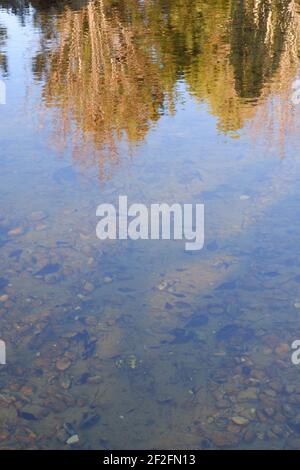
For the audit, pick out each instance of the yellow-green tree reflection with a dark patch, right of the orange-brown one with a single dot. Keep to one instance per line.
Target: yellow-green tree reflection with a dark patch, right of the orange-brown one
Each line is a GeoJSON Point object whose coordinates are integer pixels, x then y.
{"type": "Point", "coordinates": [243, 48]}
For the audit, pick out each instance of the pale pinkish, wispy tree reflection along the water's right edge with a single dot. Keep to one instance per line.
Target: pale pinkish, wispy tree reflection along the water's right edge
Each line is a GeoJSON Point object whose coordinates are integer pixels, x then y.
{"type": "Point", "coordinates": [276, 120]}
